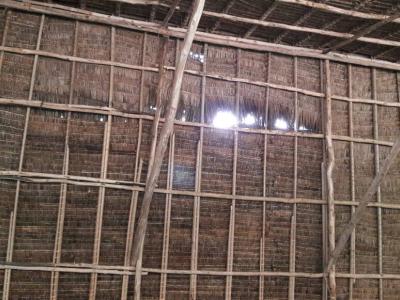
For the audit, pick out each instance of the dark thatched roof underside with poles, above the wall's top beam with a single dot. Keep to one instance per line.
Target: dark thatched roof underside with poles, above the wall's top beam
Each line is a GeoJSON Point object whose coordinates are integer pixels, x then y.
{"type": "Point", "coordinates": [364, 27]}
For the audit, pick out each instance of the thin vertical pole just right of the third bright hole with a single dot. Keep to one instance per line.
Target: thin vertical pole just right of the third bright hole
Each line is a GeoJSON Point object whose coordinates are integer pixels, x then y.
{"type": "Point", "coordinates": [292, 262]}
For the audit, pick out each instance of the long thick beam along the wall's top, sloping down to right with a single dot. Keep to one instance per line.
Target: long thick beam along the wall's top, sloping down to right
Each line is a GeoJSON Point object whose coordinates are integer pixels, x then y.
{"type": "Point", "coordinates": [84, 15]}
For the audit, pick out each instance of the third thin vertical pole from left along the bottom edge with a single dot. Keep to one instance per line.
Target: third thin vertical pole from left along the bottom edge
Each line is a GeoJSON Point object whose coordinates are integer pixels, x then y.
{"type": "Point", "coordinates": [103, 175]}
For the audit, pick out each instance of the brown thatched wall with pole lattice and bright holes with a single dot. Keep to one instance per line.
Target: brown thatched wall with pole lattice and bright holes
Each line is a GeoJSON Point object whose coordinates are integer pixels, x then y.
{"type": "Point", "coordinates": [274, 221]}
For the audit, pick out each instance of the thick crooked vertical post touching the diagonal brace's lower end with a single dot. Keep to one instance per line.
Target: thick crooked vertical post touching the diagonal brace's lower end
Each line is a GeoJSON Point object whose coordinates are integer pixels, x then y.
{"type": "Point", "coordinates": [329, 176]}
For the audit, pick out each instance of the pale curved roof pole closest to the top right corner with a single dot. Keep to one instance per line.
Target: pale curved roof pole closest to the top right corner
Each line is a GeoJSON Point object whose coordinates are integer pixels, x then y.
{"type": "Point", "coordinates": [338, 10]}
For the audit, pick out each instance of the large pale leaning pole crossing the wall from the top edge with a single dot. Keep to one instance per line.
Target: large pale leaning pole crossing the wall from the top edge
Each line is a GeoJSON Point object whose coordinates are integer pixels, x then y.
{"type": "Point", "coordinates": [166, 131]}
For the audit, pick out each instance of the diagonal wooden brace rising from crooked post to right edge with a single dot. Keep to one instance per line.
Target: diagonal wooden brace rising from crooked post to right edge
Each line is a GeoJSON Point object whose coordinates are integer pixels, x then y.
{"type": "Point", "coordinates": [362, 207]}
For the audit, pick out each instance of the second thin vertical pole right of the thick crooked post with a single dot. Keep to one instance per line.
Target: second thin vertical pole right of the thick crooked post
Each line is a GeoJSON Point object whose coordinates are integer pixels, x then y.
{"type": "Point", "coordinates": [378, 192]}
